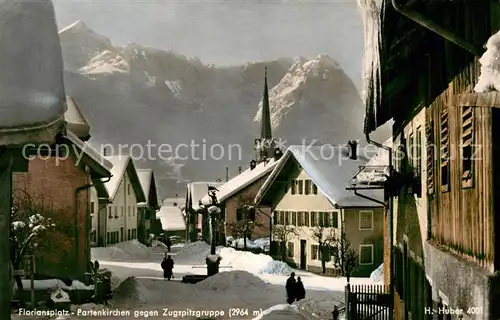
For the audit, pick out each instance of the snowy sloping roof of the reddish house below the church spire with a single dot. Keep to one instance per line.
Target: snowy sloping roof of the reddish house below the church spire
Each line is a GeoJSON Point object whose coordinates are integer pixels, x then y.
{"type": "Point", "coordinates": [243, 180]}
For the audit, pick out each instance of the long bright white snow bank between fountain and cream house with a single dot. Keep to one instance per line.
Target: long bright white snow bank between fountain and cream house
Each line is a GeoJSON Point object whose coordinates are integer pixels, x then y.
{"type": "Point", "coordinates": [253, 263]}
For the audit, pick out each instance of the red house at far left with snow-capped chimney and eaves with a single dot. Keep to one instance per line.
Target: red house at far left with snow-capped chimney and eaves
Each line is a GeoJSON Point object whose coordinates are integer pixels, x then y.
{"type": "Point", "coordinates": [66, 179]}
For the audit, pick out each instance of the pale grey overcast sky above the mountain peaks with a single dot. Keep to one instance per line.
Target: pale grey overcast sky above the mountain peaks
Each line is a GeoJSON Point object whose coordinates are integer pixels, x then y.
{"type": "Point", "coordinates": [229, 31]}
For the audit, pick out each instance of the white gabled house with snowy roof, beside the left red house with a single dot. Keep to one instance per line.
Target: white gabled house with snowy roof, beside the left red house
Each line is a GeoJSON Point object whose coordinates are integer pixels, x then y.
{"type": "Point", "coordinates": [119, 218]}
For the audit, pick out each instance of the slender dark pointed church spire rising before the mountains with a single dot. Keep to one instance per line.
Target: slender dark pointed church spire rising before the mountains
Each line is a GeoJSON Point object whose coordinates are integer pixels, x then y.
{"type": "Point", "coordinates": [266, 145]}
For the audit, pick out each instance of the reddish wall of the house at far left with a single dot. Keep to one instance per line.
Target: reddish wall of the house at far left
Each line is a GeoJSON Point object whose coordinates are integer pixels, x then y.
{"type": "Point", "coordinates": [53, 182]}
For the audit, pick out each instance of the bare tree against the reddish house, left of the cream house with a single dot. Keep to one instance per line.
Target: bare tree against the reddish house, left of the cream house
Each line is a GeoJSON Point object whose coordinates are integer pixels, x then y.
{"type": "Point", "coordinates": [246, 221]}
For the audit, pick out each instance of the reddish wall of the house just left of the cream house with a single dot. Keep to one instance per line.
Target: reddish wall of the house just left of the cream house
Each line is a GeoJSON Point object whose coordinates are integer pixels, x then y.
{"type": "Point", "coordinates": [248, 194]}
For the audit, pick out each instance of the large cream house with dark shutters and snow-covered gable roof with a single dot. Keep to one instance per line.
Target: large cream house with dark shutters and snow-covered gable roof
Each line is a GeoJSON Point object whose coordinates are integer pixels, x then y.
{"type": "Point", "coordinates": [306, 191]}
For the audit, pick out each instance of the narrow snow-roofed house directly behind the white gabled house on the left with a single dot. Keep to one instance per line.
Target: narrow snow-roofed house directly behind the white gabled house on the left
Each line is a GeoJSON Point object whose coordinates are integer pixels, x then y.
{"type": "Point", "coordinates": [147, 209]}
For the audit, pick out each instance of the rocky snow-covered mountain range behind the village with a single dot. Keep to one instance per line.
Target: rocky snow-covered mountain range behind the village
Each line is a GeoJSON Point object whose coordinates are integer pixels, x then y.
{"type": "Point", "coordinates": [136, 94]}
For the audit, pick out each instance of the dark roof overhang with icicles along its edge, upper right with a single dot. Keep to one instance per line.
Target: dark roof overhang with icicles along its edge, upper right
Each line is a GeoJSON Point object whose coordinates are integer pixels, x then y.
{"type": "Point", "coordinates": [406, 64]}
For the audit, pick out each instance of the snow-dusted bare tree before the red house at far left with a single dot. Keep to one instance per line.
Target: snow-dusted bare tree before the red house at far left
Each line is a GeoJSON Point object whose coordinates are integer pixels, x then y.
{"type": "Point", "coordinates": [28, 224]}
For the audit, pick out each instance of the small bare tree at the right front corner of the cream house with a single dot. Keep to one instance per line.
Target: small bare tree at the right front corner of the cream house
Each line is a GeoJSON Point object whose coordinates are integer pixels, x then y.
{"type": "Point", "coordinates": [344, 256]}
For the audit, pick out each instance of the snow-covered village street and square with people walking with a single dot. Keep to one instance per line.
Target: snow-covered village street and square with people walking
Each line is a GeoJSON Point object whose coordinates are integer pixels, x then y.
{"type": "Point", "coordinates": [141, 292]}
